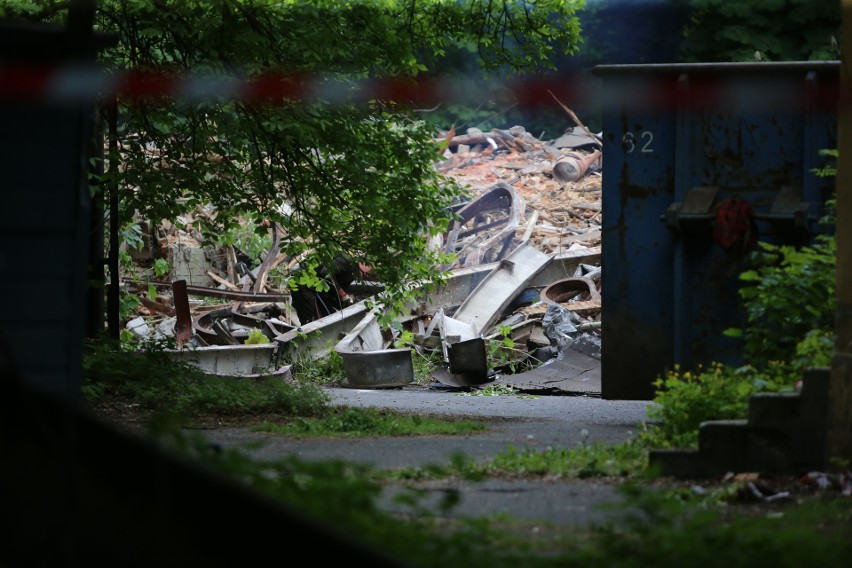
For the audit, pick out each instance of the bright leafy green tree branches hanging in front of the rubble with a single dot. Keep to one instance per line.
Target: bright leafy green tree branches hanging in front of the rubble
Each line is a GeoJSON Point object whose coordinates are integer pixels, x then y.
{"type": "Point", "coordinates": [337, 172]}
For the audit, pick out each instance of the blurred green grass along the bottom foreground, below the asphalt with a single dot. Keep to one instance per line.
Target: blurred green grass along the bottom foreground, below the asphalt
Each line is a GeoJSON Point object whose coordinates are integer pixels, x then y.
{"type": "Point", "coordinates": [657, 527]}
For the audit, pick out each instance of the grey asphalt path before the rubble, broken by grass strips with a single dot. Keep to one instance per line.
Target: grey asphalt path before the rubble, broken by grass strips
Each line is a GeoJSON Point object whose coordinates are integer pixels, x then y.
{"type": "Point", "coordinates": [535, 422]}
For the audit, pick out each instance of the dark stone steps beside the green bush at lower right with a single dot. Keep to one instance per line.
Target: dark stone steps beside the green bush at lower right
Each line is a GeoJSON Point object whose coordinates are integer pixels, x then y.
{"type": "Point", "coordinates": [783, 434]}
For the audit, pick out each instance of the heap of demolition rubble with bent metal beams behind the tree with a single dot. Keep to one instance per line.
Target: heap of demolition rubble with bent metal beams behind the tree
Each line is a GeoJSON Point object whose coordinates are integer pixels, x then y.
{"type": "Point", "coordinates": [526, 273]}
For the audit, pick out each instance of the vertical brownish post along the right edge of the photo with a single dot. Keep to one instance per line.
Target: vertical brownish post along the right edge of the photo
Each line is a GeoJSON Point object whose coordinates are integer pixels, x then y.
{"type": "Point", "coordinates": [839, 428]}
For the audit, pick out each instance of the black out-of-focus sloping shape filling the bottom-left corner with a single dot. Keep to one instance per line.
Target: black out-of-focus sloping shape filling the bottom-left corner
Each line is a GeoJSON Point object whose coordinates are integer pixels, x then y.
{"type": "Point", "coordinates": [77, 492]}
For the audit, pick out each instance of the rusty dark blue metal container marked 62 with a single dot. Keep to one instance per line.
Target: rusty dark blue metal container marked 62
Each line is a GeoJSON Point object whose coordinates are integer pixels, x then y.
{"type": "Point", "coordinates": [682, 142]}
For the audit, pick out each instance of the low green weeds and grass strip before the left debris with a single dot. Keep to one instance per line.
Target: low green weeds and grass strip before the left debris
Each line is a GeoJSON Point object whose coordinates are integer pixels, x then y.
{"type": "Point", "coordinates": [157, 384]}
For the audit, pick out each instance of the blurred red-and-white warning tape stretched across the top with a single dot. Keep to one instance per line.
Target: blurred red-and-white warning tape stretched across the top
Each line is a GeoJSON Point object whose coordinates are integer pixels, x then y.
{"type": "Point", "coordinates": [76, 83]}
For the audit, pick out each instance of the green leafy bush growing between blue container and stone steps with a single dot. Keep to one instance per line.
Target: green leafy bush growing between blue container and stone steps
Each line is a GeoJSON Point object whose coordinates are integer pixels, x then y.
{"type": "Point", "coordinates": [788, 296]}
